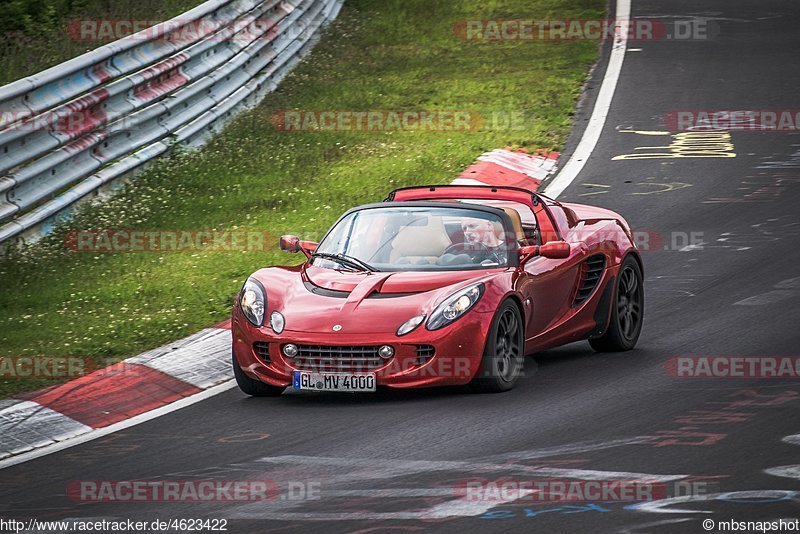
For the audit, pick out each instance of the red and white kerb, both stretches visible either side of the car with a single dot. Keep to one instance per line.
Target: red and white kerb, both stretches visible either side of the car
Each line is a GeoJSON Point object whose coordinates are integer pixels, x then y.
{"type": "Point", "coordinates": [180, 373]}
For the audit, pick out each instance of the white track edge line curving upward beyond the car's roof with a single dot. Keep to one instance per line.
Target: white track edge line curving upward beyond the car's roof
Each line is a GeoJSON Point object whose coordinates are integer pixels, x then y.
{"type": "Point", "coordinates": [598, 119]}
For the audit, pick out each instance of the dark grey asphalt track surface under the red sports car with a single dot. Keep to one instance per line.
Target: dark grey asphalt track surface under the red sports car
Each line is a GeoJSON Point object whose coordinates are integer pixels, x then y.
{"type": "Point", "coordinates": [576, 413]}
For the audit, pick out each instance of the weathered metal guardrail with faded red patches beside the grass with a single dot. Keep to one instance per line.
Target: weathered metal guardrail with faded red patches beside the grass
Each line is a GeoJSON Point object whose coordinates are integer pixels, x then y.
{"type": "Point", "coordinates": [78, 126]}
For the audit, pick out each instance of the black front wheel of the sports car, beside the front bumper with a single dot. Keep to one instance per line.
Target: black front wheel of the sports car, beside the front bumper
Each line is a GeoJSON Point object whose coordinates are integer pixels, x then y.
{"type": "Point", "coordinates": [503, 356]}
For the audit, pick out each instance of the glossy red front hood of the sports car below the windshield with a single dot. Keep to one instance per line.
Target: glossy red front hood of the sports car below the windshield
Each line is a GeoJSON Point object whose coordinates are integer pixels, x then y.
{"type": "Point", "coordinates": [314, 299]}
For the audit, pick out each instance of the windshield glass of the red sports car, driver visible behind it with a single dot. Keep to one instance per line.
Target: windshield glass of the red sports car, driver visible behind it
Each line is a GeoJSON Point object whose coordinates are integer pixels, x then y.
{"type": "Point", "coordinates": [416, 239]}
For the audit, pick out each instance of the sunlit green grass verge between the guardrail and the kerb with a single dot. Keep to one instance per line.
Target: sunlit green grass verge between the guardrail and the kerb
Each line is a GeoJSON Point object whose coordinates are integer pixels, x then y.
{"type": "Point", "coordinates": [379, 54]}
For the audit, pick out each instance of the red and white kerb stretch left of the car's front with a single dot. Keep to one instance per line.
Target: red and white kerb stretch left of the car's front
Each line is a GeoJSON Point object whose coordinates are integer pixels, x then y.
{"type": "Point", "coordinates": [116, 394]}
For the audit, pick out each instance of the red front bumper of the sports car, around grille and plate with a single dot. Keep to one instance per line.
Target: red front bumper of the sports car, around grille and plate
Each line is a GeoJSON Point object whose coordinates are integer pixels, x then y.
{"type": "Point", "coordinates": [458, 350]}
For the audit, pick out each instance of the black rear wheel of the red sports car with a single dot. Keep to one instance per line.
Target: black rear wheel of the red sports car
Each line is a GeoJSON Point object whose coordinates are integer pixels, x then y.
{"type": "Point", "coordinates": [627, 310]}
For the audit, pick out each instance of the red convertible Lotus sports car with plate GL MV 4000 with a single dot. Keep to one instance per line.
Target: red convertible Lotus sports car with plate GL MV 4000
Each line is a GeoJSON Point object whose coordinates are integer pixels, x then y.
{"type": "Point", "coordinates": [438, 285]}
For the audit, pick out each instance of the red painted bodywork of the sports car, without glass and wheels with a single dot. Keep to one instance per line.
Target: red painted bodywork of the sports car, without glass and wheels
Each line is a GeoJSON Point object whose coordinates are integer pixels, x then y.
{"type": "Point", "coordinates": [368, 307]}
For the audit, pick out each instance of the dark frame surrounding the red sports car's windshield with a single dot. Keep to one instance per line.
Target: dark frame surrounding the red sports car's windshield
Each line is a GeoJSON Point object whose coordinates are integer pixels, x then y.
{"type": "Point", "coordinates": [508, 229]}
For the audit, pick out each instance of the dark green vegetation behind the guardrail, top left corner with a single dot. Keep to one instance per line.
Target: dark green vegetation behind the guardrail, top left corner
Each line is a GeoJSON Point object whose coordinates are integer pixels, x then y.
{"type": "Point", "coordinates": [34, 33]}
